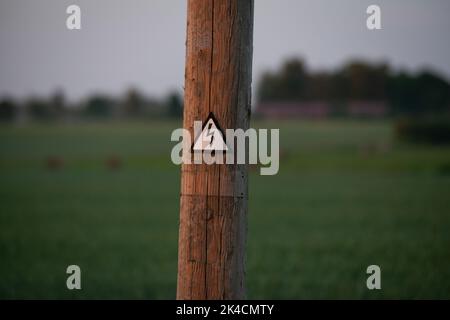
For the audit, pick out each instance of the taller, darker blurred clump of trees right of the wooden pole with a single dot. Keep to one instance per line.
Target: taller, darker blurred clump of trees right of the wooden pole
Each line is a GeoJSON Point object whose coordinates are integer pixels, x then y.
{"type": "Point", "coordinates": [403, 92]}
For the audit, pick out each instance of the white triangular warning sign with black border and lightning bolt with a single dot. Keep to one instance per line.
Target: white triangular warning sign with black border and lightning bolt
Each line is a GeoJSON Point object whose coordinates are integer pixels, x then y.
{"type": "Point", "coordinates": [211, 138]}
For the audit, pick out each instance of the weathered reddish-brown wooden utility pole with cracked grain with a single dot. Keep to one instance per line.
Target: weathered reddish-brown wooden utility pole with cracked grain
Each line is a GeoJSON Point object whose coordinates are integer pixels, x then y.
{"type": "Point", "coordinates": [213, 206]}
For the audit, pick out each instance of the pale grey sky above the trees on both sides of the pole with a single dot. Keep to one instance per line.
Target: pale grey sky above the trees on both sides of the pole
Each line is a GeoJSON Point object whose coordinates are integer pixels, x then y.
{"type": "Point", "coordinates": [140, 43]}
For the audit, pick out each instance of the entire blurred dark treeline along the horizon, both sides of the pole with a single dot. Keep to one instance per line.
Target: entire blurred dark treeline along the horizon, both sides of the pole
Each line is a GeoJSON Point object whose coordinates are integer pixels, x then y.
{"type": "Point", "coordinates": [401, 92]}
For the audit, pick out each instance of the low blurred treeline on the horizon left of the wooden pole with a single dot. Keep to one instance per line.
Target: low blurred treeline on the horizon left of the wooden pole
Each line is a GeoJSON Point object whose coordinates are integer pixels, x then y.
{"type": "Point", "coordinates": [56, 107]}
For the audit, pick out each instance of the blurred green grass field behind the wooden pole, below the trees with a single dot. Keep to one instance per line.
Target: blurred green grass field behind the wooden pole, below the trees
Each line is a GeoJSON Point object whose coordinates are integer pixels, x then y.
{"type": "Point", "coordinates": [348, 195]}
